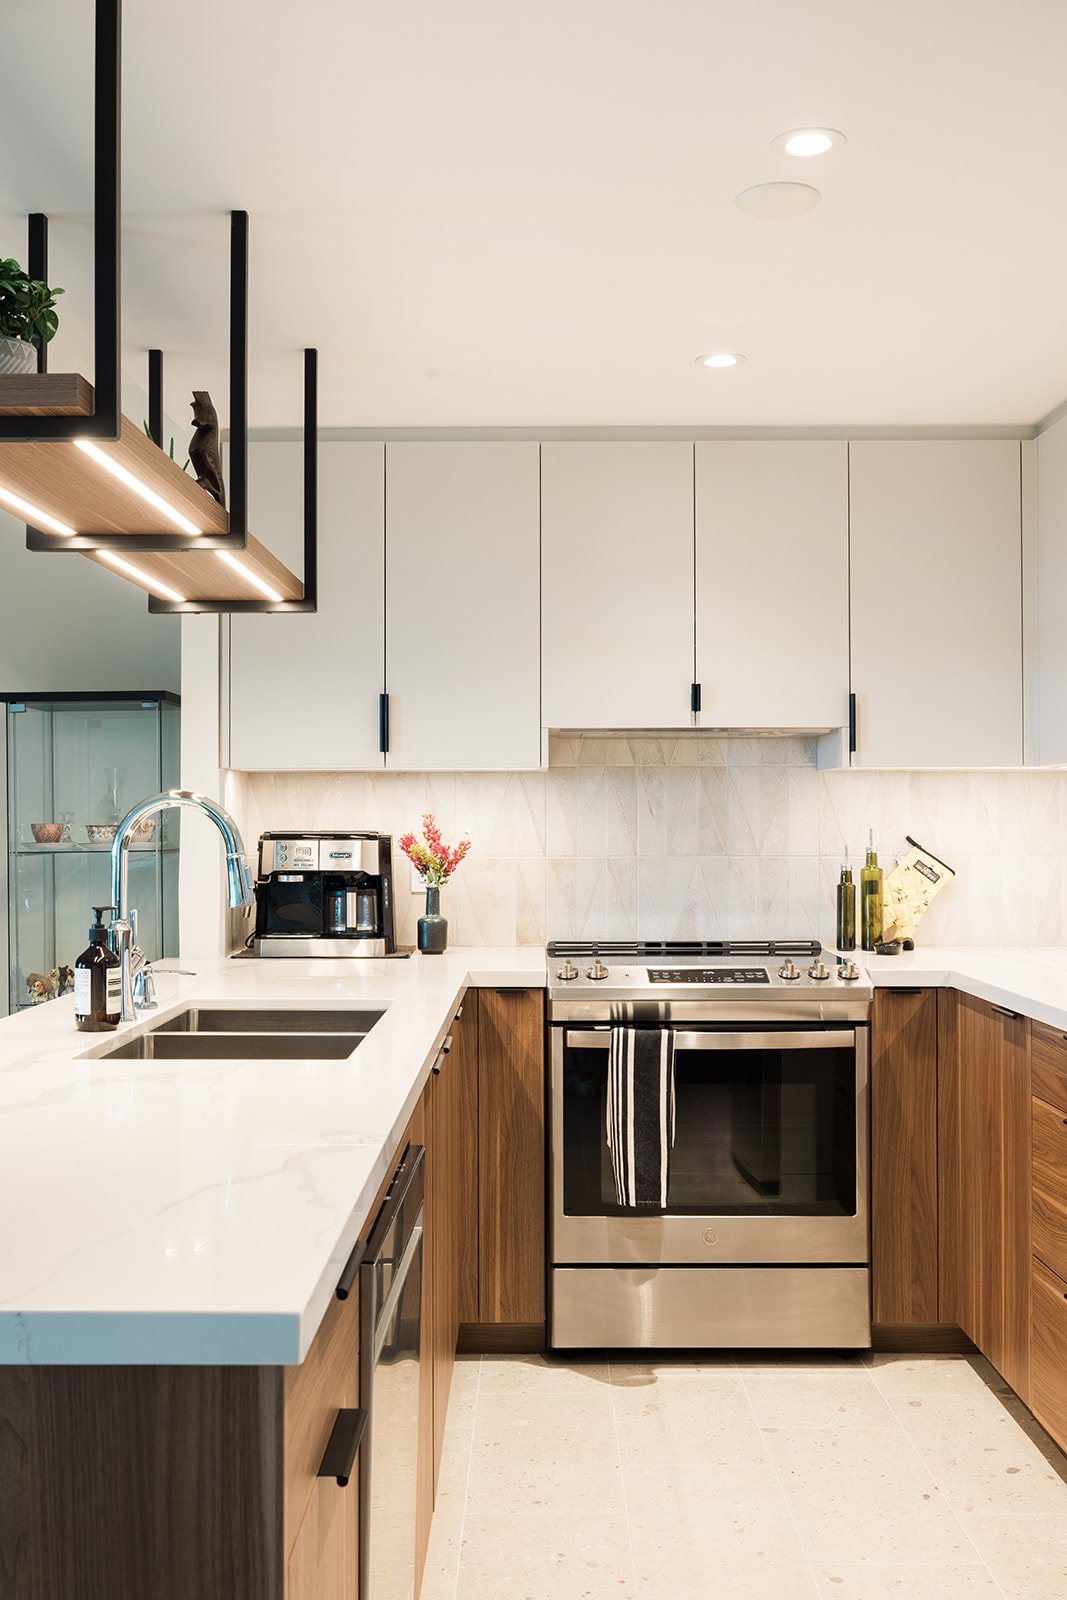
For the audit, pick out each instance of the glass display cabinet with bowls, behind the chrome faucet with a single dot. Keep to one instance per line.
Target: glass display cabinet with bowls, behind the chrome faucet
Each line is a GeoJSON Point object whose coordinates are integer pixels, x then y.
{"type": "Point", "coordinates": [74, 767]}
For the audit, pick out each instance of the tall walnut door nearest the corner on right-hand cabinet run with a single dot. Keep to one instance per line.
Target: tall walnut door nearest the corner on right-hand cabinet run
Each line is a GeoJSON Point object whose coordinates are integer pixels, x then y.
{"type": "Point", "coordinates": [994, 1186]}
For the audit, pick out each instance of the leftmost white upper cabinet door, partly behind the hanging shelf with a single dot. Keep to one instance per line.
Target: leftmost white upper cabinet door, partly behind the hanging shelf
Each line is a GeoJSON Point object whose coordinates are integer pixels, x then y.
{"type": "Point", "coordinates": [305, 689]}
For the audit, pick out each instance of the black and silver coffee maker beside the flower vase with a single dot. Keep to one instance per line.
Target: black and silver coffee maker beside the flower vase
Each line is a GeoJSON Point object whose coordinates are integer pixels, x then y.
{"type": "Point", "coordinates": [321, 895]}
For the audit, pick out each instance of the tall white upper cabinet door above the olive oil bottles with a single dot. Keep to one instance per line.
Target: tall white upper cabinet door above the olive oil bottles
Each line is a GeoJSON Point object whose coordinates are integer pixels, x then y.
{"type": "Point", "coordinates": [937, 602]}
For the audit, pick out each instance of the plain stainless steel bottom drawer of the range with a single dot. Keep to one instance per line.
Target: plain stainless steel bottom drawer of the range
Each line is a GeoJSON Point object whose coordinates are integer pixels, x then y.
{"type": "Point", "coordinates": [709, 1308]}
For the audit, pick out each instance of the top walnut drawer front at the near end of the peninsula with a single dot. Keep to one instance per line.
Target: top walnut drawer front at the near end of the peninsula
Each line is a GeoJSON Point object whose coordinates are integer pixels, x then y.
{"type": "Point", "coordinates": [314, 1393]}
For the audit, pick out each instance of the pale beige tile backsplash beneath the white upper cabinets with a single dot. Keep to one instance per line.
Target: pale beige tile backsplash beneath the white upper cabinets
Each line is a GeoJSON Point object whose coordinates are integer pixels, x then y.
{"type": "Point", "coordinates": [697, 838]}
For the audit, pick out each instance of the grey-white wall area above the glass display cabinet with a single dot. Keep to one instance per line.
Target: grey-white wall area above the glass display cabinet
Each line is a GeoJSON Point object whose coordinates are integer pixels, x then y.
{"type": "Point", "coordinates": [66, 625]}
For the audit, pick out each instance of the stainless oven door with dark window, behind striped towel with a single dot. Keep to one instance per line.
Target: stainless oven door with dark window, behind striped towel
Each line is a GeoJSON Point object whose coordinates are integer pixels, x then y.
{"type": "Point", "coordinates": [770, 1154]}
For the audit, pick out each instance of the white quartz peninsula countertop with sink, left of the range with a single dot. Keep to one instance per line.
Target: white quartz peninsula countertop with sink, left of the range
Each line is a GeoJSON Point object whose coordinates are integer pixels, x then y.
{"type": "Point", "coordinates": [194, 1212]}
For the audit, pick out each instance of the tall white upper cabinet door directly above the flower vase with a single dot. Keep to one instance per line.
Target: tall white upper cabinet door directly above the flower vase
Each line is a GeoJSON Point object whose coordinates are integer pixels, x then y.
{"type": "Point", "coordinates": [463, 607]}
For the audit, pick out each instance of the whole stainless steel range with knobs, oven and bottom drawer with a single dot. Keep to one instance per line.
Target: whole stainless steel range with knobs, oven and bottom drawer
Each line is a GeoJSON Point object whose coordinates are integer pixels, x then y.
{"type": "Point", "coordinates": [765, 1234]}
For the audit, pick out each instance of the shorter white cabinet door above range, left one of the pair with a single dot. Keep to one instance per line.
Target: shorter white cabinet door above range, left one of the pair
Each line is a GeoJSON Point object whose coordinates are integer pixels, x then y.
{"type": "Point", "coordinates": [617, 583]}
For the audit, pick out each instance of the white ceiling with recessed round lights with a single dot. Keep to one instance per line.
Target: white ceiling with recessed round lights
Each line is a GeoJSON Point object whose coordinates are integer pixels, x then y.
{"type": "Point", "coordinates": [522, 215]}
